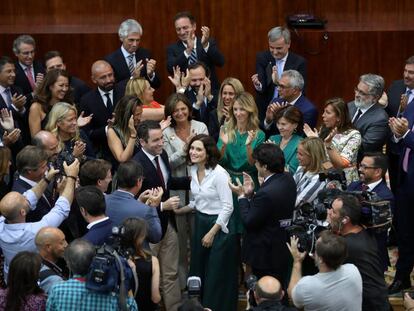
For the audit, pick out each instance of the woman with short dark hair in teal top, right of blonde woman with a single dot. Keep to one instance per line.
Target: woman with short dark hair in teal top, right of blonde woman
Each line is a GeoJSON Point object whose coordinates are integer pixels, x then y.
{"type": "Point", "coordinates": [289, 120]}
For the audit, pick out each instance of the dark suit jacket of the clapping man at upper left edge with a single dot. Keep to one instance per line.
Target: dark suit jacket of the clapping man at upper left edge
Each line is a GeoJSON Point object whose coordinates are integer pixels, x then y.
{"type": "Point", "coordinates": [21, 120]}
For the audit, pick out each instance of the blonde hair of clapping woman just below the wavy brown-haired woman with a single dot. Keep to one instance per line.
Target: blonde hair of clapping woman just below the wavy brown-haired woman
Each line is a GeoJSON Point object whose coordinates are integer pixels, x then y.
{"type": "Point", "coordinates": [56, 115]}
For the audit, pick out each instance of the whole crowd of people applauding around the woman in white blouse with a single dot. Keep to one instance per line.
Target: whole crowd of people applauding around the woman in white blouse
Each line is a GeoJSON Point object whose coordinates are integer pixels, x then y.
{"type": "Point", "coordinates": [204, 184]}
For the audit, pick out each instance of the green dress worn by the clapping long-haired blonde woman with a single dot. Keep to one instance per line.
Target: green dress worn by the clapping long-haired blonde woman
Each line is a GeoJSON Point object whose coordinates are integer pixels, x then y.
{"type": "Point", "coordinates": [235, 162]}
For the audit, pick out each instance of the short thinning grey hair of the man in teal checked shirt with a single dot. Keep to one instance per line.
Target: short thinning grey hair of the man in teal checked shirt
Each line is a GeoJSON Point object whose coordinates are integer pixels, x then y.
{"type": "Point", "coordinates": [78, 256]}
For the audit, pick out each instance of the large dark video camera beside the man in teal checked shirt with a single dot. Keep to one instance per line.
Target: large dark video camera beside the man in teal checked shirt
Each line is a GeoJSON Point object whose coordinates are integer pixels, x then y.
{"type": "Point", "coordinates": [110, 272]}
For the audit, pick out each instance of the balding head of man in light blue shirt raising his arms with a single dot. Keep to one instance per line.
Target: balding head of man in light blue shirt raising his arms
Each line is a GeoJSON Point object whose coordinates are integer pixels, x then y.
{"type": "Point", "coordinates": [14, 207]}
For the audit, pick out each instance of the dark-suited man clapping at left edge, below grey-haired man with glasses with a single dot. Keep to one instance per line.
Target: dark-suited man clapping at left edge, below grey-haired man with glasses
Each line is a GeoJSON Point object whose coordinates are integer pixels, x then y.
{"type": "Point", "coordinates": [12, 99]}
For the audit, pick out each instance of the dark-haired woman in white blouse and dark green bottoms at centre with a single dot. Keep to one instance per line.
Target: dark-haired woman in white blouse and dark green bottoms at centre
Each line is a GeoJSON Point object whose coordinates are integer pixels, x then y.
{"type": "Point", "coordinates": [214, 255]}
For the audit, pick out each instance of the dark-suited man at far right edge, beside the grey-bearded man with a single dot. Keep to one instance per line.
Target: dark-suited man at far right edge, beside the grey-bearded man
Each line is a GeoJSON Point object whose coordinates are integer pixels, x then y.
{"type": "Point", "coordinates": [400, 92]}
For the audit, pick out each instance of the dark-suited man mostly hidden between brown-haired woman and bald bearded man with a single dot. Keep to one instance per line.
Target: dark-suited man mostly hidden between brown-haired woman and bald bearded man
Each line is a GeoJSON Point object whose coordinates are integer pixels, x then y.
{"type": "Point", "coordinates": [54, 60]}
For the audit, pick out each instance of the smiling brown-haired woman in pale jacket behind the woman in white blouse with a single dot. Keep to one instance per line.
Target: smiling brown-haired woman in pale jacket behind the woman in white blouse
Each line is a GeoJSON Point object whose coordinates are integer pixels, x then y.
{"type": "Point", "coordinates": [176, 136]}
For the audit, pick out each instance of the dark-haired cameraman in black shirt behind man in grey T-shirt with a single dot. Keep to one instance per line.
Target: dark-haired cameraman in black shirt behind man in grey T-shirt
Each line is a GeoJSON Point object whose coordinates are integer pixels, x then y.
{"type": "Point", "coordinates": [344, 219]}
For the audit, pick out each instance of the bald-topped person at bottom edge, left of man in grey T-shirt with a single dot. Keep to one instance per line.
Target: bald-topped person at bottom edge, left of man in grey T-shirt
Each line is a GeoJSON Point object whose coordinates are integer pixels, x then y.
{"type": "Point", "coordinates": [268, 294]}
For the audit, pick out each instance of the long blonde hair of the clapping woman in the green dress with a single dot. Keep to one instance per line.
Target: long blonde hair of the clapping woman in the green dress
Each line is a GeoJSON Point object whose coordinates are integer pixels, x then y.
{"type": "Point", "coordinates": [246, 101]}
